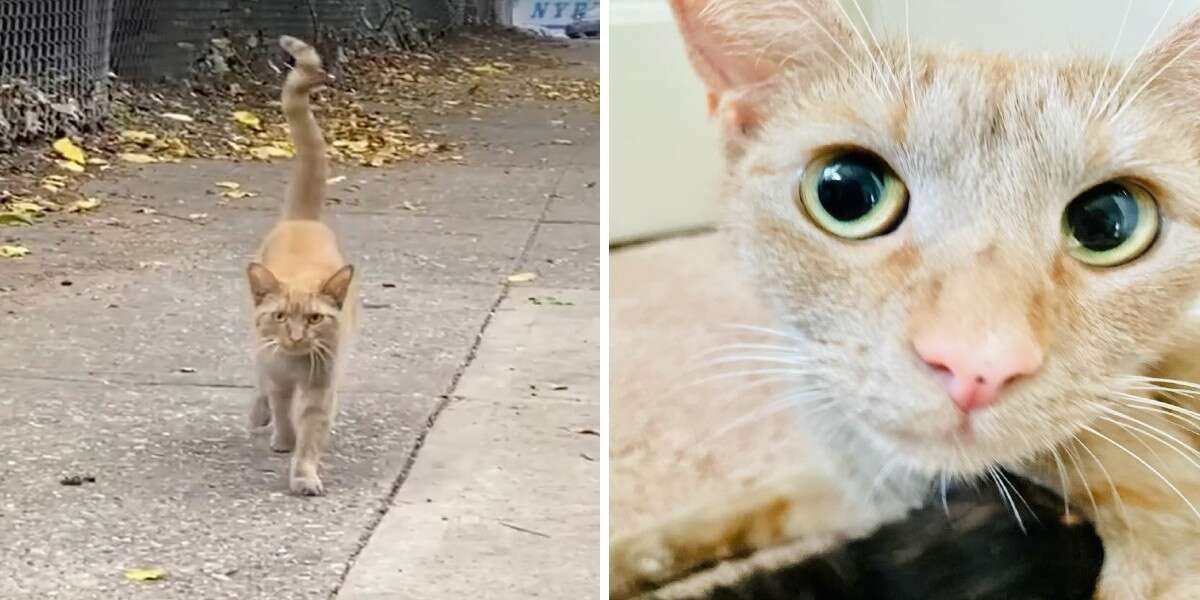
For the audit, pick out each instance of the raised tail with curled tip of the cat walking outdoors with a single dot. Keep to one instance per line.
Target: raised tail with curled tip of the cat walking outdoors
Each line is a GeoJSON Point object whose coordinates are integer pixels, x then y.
{"type": "Point", "coordinates": [307, 189]}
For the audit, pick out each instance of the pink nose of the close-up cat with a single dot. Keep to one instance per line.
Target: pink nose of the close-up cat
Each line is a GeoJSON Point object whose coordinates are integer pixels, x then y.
{"type": "Point", "coordinates": [975, 374]}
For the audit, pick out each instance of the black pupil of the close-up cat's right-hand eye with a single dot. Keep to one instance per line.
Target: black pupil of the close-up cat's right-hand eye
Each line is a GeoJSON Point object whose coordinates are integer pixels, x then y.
{"type": "Point", "coordinates": [1105, 218]}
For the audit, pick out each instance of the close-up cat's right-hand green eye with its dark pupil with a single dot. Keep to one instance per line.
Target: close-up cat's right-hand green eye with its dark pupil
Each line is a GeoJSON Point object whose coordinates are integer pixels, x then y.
{"type": "Point", "coordinates": [1112, 224]}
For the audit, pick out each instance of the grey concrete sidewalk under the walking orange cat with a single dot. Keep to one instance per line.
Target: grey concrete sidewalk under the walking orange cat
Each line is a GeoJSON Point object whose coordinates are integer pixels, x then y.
{"type": "Point", "coordinates": [123, 358]}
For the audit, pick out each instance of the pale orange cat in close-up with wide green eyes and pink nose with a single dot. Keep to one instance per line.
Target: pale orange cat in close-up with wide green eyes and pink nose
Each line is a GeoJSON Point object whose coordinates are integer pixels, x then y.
{"type": "Point", "coordinates": [974, 262]}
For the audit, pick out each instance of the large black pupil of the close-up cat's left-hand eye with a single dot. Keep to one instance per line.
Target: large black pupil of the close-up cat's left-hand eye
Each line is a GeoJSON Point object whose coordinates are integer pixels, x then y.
{"type": "Point", "coordinates": [851, 187]}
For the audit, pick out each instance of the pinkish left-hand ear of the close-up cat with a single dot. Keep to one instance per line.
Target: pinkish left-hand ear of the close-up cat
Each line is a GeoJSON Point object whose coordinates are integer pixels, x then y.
{"type": "Point", "coordinates": [740, 47]}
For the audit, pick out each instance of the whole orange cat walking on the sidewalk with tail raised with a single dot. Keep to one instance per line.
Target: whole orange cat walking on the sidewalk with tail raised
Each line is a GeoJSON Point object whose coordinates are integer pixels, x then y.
{"type": "Point", "coordinates": [304, 296]}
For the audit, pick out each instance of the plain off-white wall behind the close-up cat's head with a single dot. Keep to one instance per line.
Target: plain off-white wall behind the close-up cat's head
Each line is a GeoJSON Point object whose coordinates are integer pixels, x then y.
{"type": "Point", "coordinates": [663, 151]}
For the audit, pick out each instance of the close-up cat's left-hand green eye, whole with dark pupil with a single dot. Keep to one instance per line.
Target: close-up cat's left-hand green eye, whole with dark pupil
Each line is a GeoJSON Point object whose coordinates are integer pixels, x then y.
{"type": "Point", "coordinates": [854, 195]}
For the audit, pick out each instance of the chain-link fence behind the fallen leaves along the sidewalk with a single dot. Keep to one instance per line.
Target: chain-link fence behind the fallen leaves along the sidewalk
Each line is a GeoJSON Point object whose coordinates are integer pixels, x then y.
{"type": "Point", "coordinates": [58, 57]}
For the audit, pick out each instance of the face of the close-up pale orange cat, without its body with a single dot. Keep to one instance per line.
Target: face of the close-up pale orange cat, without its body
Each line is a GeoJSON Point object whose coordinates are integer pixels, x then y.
{"type": "Point", "coordinates": [974, 254]}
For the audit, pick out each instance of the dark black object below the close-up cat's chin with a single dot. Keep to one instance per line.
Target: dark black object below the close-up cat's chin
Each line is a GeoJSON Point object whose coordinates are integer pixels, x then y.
{"type": "Point", "coordinates": [976, 551]}
